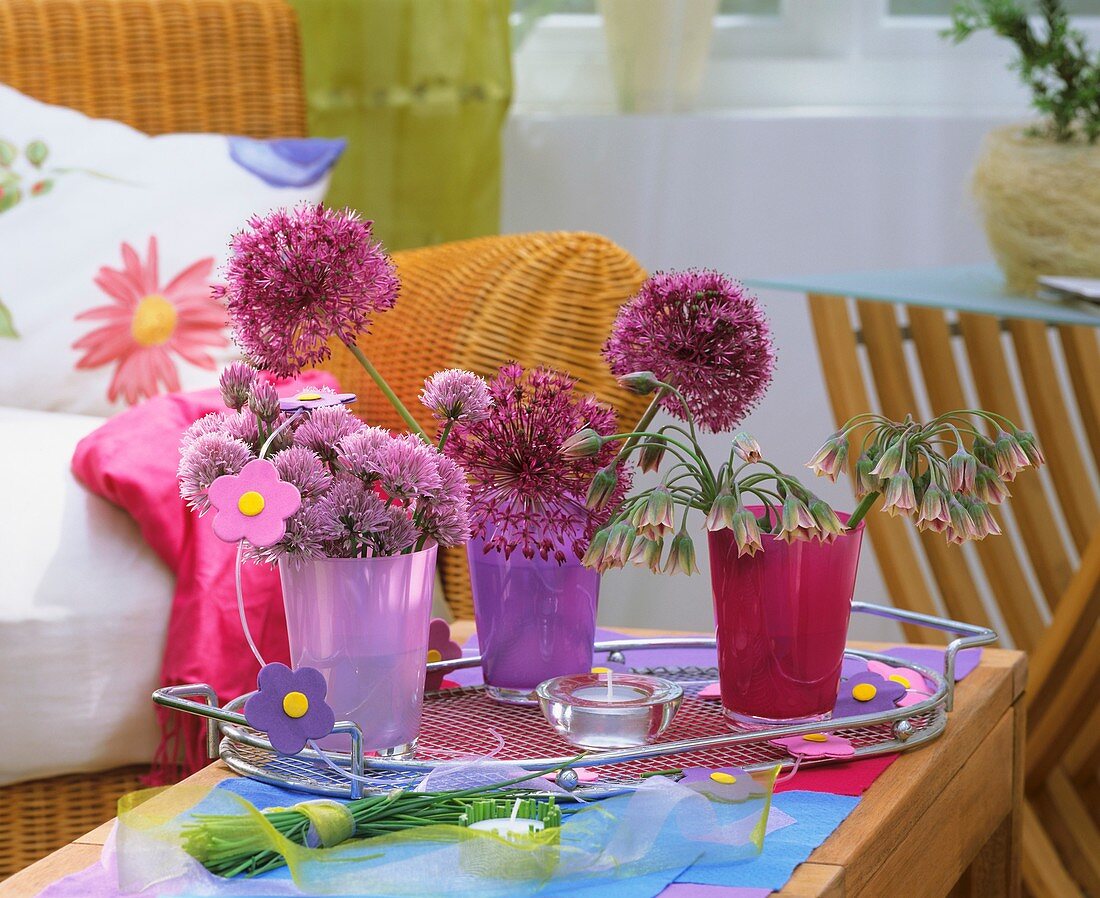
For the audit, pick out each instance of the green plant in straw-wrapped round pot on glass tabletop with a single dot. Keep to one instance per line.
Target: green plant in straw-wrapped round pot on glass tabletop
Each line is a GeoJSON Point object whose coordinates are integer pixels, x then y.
{"type": "Point", "coordinates": [1039, 185]}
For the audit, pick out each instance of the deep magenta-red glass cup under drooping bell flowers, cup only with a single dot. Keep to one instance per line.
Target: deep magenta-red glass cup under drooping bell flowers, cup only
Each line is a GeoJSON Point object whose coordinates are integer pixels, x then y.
{"type": "Point", "coordinates": [783, 621]}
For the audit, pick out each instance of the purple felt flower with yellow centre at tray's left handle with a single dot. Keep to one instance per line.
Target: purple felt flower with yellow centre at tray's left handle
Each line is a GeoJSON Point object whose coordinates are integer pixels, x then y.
{"type": "Point", "coordinates": [290, 707]}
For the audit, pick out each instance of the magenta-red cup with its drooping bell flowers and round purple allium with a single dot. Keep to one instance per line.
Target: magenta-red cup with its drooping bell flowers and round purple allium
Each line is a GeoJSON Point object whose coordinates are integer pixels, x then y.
{"type": "Point", "coordinates": [783, 562]}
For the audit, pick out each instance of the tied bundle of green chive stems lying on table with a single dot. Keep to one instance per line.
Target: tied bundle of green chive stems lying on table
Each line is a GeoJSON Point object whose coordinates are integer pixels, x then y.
{"type": "Point", "coordinates": [235, 846]}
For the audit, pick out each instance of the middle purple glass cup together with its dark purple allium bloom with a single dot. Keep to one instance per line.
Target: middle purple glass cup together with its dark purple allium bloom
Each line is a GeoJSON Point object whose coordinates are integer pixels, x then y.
{"type": "Point", "coordinates": [535, 604]}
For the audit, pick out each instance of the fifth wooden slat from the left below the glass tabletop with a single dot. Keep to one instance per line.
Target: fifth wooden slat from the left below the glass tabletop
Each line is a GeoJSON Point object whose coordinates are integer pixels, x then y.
{"type": "Point", "coordinates": [1054, 429]}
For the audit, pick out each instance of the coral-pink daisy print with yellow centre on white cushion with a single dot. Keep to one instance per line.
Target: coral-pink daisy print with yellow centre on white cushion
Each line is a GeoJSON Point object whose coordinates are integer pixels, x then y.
{"type": "Point", "coordinates": [146, 325]}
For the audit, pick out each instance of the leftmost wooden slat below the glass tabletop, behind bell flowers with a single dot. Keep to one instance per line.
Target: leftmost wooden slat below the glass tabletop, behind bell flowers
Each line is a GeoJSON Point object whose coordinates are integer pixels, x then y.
{"type": "Point", "coordinates": [849, 396]}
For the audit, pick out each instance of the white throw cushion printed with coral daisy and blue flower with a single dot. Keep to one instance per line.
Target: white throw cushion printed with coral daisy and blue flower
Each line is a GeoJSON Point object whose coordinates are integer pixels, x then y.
{"type": "Point", "coordinates": [104, 194]}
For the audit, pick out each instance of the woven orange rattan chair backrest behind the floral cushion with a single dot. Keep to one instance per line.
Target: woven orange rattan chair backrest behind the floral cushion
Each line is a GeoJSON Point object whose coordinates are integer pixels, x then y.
{"type": "Point", "coordinates": [218, 67]}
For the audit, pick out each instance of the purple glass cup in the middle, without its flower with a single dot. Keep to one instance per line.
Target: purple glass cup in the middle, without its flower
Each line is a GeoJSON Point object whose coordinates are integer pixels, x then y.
{"type": "Point", "coordinates": [536, 620]}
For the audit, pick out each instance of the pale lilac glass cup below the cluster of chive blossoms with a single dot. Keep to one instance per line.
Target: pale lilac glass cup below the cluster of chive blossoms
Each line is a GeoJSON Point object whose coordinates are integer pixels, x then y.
{"type": "Point", "coordinates": [364, 623]}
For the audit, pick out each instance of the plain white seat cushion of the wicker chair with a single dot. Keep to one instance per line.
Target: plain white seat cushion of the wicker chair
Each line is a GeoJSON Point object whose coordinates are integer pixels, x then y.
{"type": "Point", "coordinates": [84, 611]}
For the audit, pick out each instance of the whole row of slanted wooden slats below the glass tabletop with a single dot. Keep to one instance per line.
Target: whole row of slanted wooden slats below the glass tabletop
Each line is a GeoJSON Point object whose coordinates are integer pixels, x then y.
{"type": "Point", "coordinates": [899, 360]}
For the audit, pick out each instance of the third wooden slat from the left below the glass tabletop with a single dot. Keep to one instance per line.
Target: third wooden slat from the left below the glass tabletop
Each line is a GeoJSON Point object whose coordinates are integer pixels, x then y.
{"type": "Point", "coordinates": [932, 338]}
